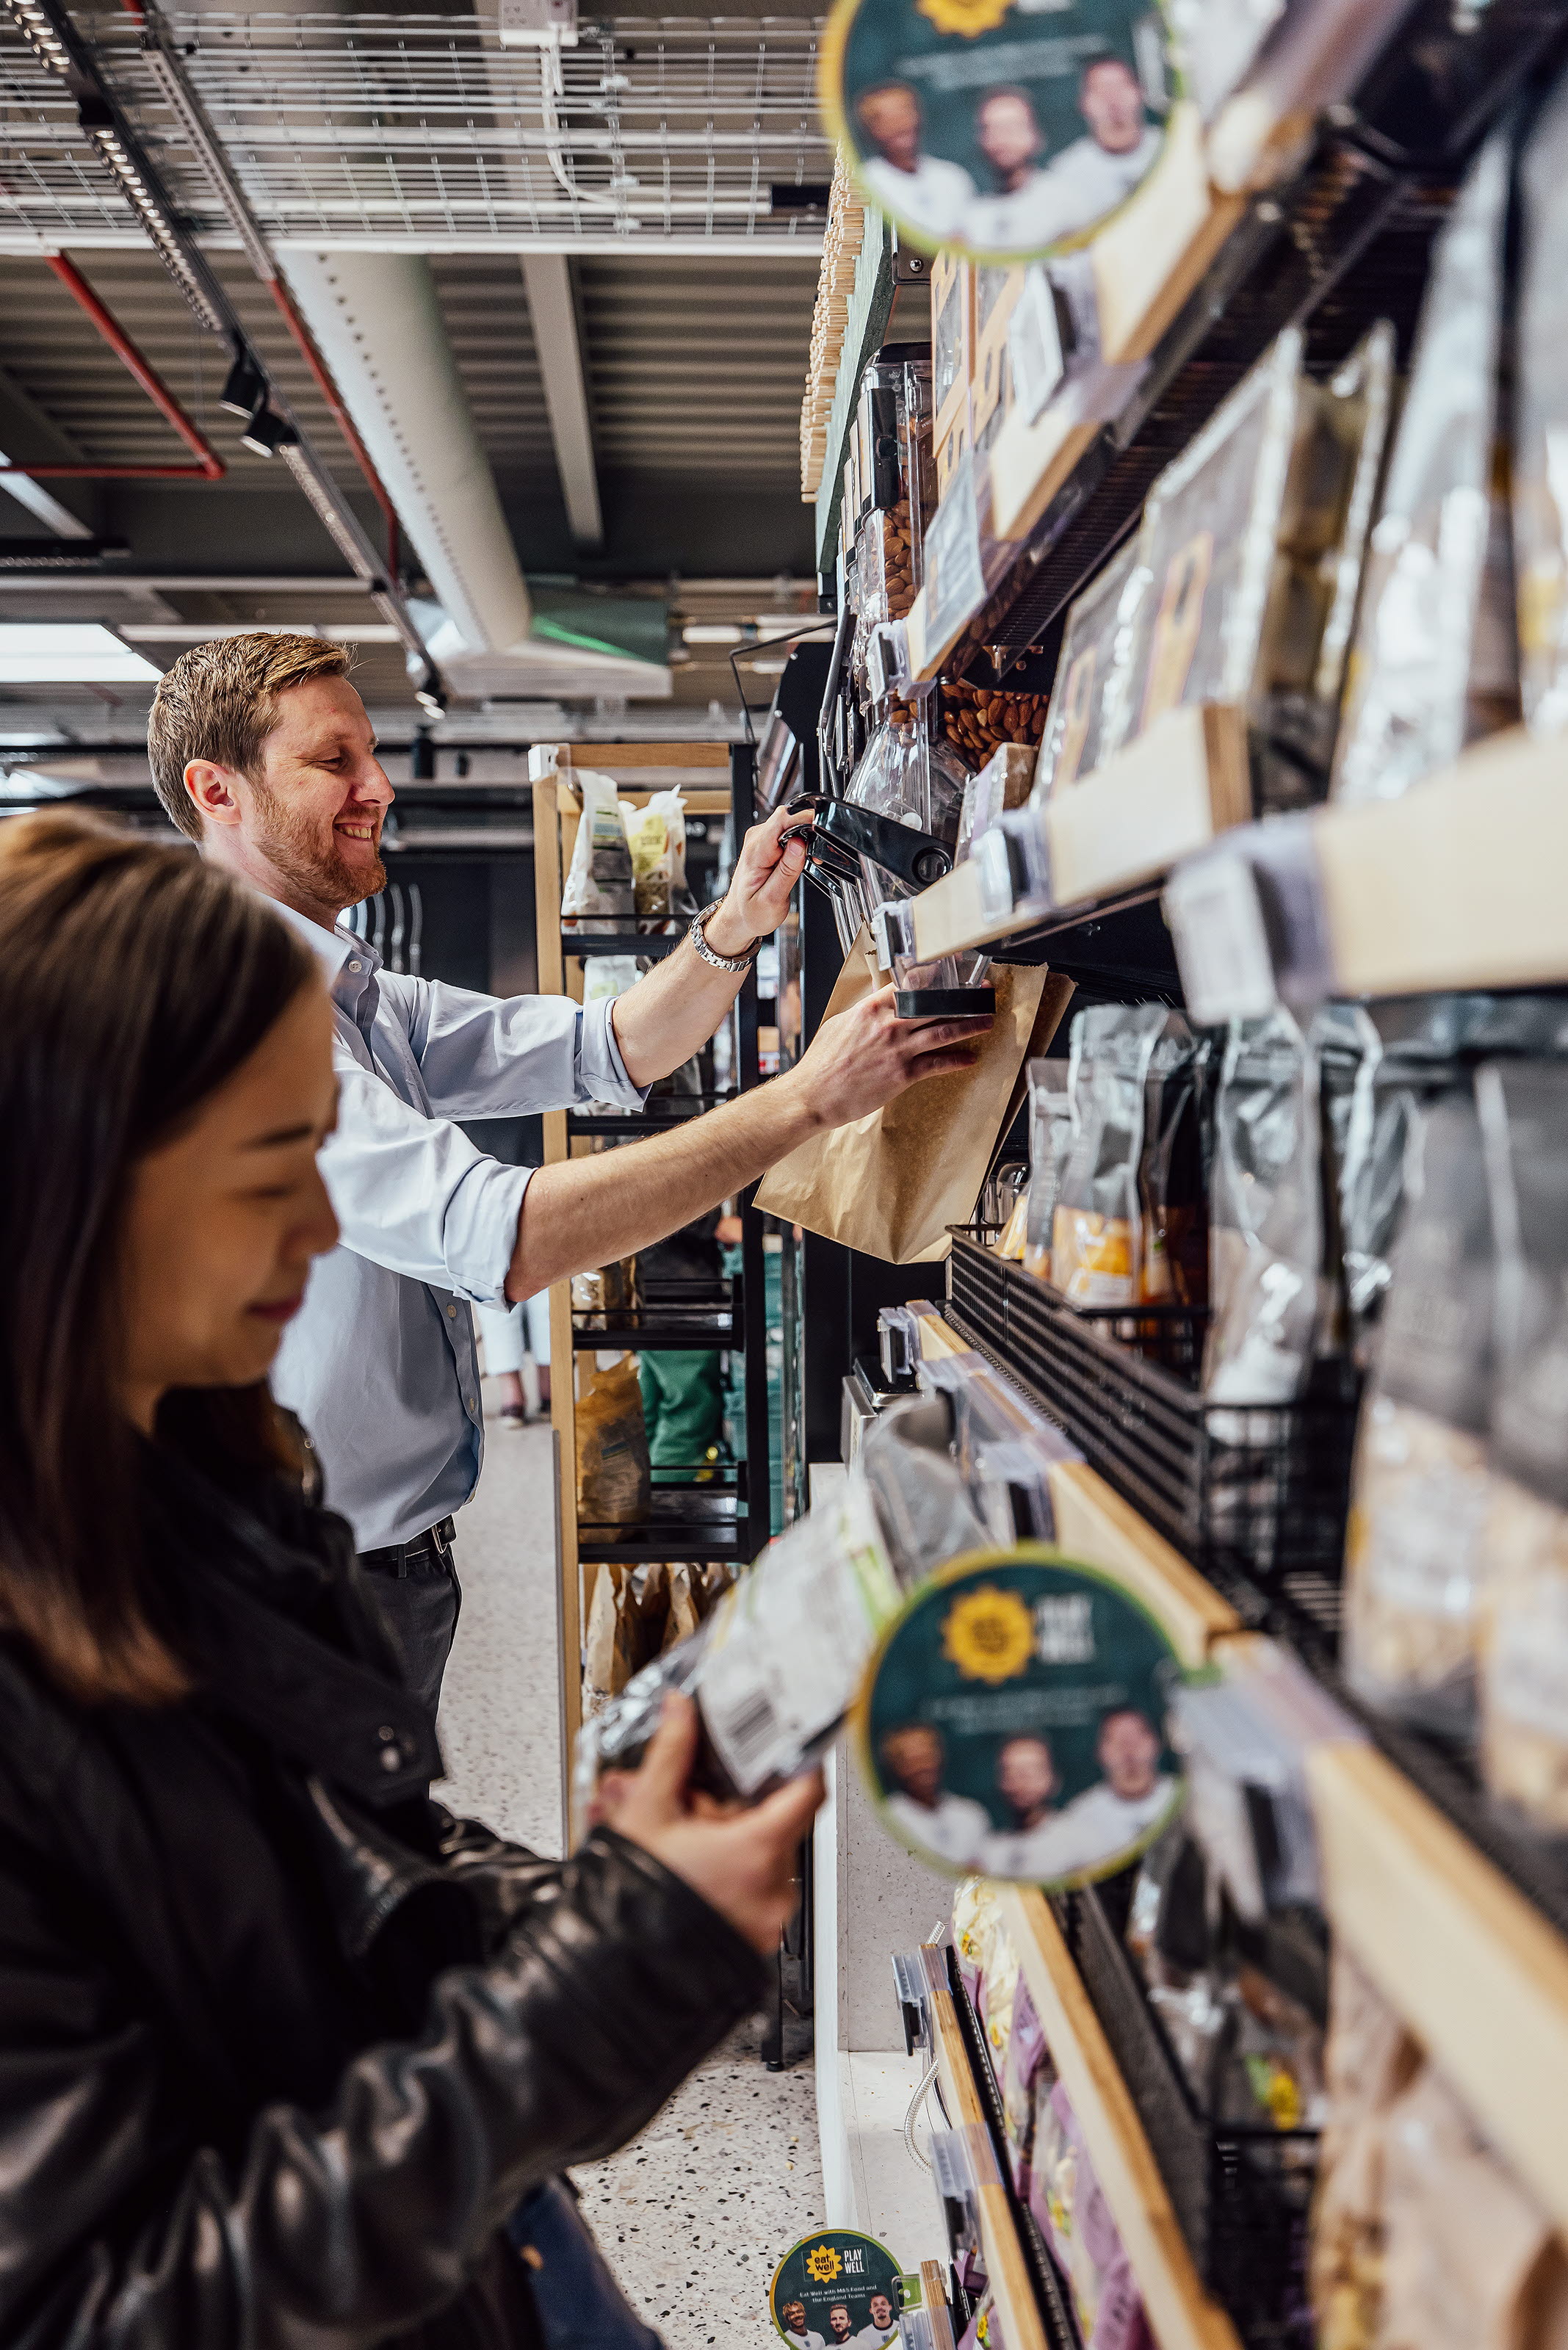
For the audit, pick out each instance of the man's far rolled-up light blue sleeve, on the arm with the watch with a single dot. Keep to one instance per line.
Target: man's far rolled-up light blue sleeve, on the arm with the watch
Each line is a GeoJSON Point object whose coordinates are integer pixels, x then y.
{"type": "Point", "coordinates": [511, 1056]}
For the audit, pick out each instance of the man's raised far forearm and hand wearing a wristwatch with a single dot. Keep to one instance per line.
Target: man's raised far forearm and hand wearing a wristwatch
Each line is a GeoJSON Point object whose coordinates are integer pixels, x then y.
{"type": "Point", "coordinates": [674, 1009]}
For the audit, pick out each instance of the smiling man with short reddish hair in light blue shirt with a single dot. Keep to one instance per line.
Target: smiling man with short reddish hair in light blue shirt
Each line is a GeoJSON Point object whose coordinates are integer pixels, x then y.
{"type": "Point", "coordinates": [264, 756]}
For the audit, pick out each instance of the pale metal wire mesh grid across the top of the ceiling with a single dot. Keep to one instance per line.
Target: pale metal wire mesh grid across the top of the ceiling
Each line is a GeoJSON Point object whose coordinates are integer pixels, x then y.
{"type": "Point", "coordinates": [427, 135]}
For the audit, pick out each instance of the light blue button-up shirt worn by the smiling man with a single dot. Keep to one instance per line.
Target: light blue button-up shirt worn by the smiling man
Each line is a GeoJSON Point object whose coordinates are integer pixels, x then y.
{"type": "Point", "coordinates": [382, 1362]}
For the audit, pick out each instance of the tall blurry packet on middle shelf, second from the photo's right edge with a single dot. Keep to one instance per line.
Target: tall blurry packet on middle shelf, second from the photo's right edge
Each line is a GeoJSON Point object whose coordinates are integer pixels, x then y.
{"type": "Point", "coordinates": [1414, 1557]}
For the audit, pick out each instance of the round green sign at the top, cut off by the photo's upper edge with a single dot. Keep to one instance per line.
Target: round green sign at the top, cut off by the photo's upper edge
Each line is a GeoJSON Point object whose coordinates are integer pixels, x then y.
{"type": "Point", "coordinates": [998, 128]}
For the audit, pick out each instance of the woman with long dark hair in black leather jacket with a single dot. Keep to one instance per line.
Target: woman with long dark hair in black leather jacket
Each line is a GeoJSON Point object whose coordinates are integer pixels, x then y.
{"type": "Point", "coordinates": [281, 2043]}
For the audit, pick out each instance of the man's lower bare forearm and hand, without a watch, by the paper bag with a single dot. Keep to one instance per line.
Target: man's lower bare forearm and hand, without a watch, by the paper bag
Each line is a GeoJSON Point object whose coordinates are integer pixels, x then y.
{"type": "Point", "coordinates": [591, 1211]}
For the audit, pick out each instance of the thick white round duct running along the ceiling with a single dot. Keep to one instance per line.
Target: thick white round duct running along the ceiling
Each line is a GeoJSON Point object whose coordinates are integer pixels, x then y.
{"type": "Point", "coordinates": [380, 330]}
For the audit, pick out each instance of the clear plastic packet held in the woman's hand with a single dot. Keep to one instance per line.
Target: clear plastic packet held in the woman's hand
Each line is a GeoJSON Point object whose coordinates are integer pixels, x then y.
{"type": "Point", "coordinates": [779, 1658]}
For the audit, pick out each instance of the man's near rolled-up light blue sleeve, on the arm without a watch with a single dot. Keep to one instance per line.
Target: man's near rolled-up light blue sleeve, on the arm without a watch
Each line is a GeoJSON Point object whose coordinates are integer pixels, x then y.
{"type": "Point", "coordinates": [415, 1195]}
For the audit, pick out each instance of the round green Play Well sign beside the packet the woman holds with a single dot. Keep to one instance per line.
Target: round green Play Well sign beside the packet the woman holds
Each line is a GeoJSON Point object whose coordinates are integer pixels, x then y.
{"type": "Point", "coordinates": [1014, 1721]}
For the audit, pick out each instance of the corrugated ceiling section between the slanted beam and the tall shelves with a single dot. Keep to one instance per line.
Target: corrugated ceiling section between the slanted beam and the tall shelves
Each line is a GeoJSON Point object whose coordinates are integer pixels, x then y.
{"type": "Point", "coordinates": [695, 365]}
